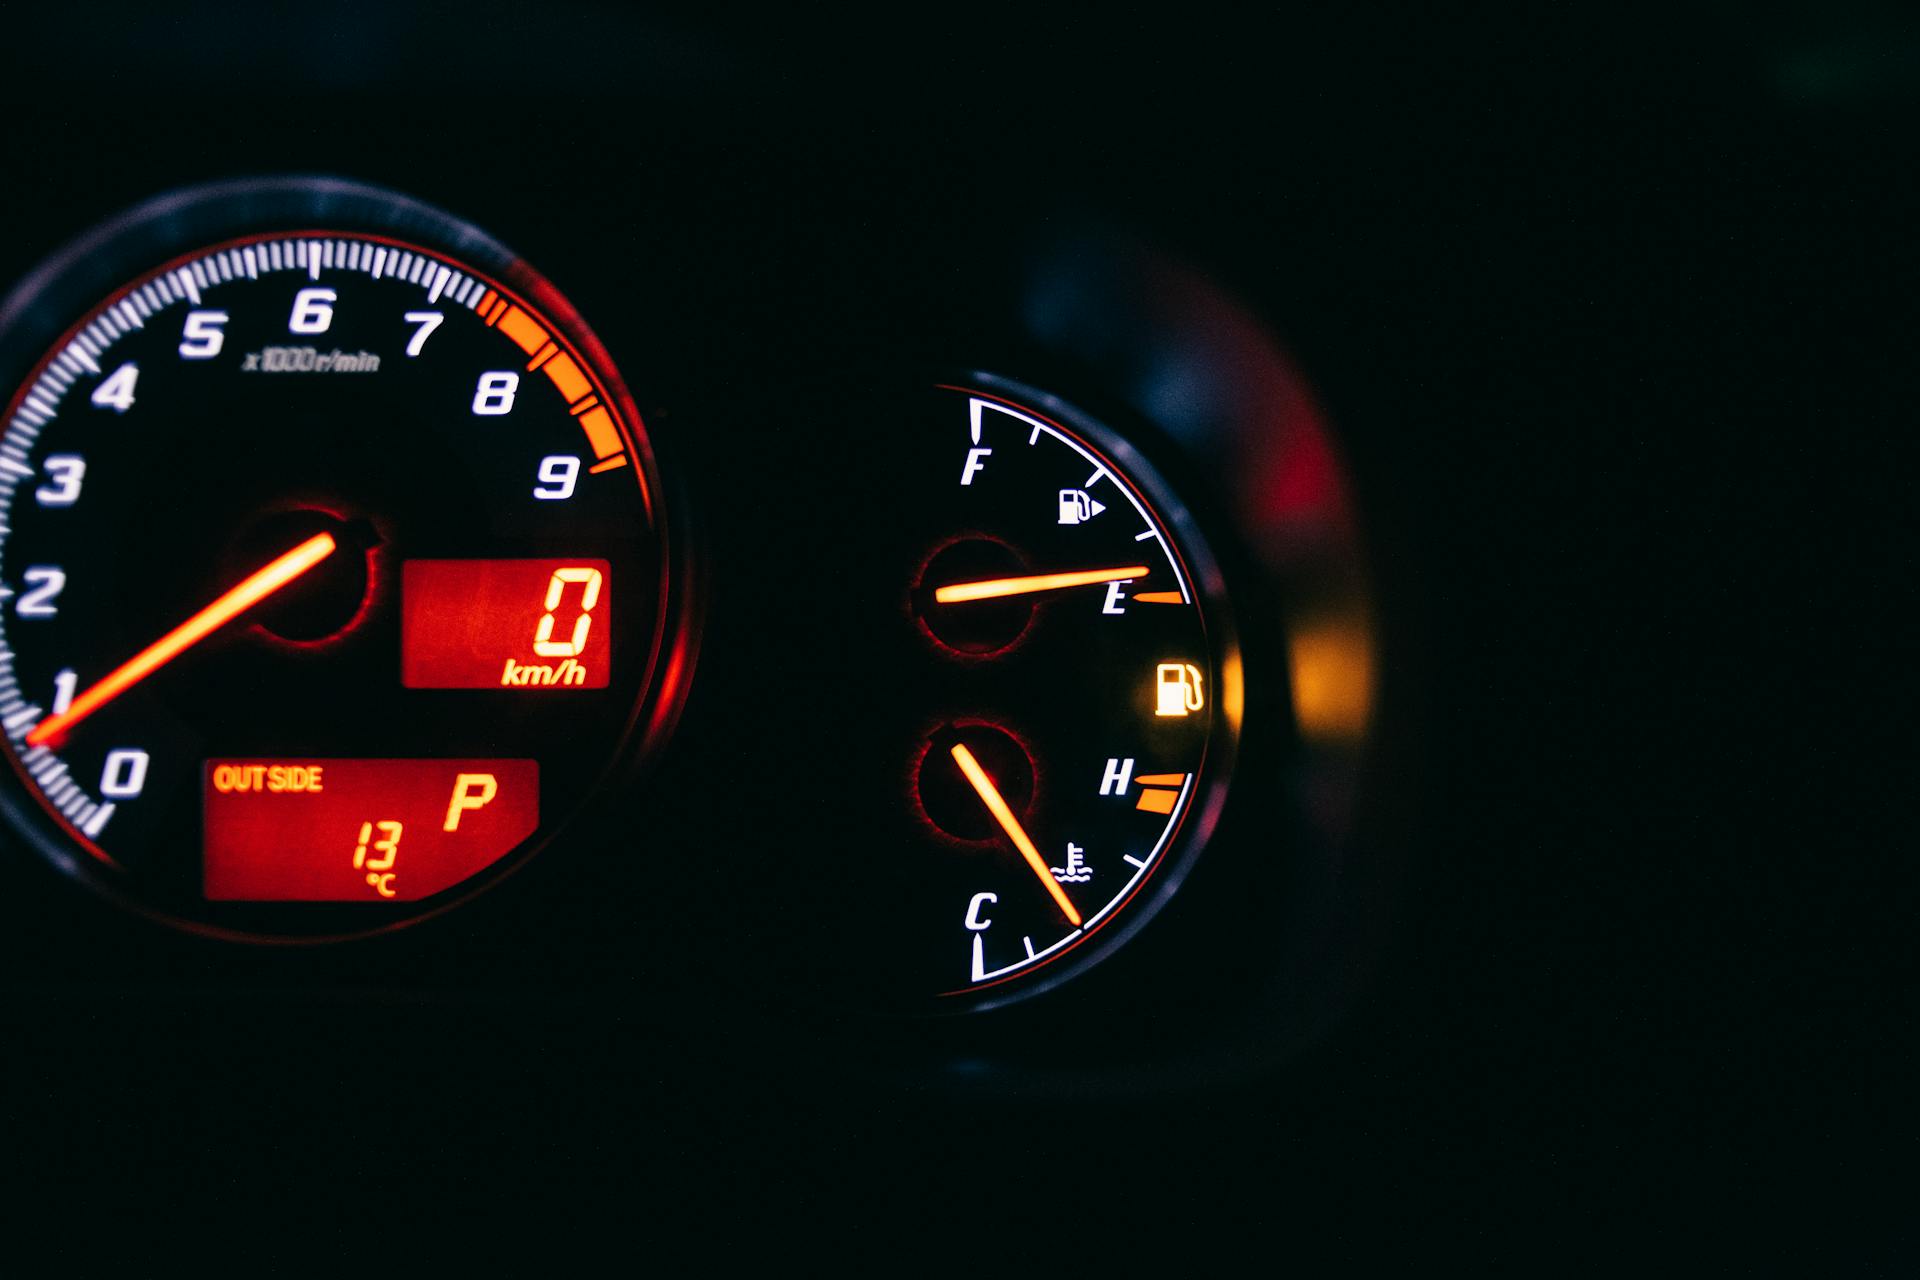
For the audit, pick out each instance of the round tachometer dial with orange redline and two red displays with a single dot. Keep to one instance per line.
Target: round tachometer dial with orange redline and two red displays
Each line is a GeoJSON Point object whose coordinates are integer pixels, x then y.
{"type": "Point", "coordinates": [335, 575]}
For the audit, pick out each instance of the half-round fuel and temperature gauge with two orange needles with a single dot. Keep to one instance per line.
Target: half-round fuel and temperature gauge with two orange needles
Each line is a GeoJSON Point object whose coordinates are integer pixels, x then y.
{"type": "Point", "coordinates": [1063, 598]}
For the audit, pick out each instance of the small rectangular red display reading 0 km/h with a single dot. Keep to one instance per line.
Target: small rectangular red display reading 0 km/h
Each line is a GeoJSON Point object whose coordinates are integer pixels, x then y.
{"type": "Point", "coordinates": [506, 625]}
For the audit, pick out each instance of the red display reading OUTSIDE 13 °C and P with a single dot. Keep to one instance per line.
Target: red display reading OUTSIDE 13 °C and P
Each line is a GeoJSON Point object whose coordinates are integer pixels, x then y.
{"type": "Point", "coordinates": [360, 830]}
